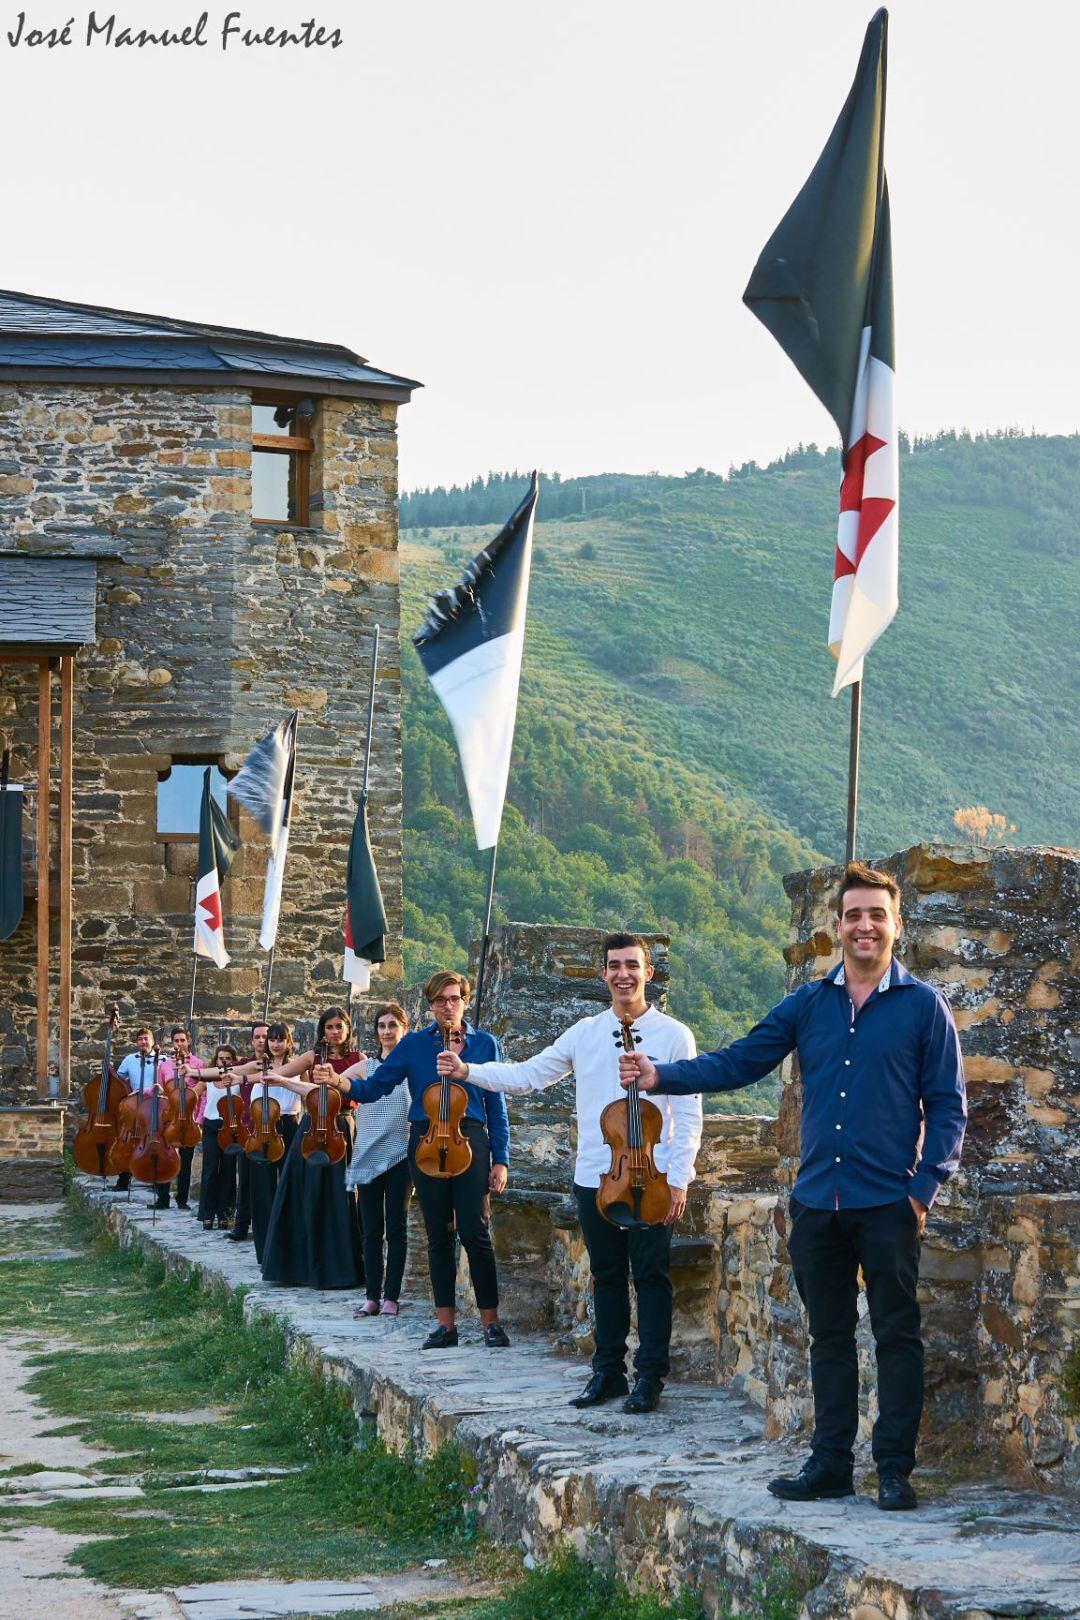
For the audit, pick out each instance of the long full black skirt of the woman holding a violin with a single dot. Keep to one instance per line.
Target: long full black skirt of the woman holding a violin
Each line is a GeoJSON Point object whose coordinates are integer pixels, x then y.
{"type": "Point", "coordinates": [313, 1235]}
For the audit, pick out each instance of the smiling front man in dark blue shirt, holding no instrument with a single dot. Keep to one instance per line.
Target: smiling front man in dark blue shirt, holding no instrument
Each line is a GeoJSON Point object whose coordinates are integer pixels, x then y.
{"type": "Point", "coordinates": [882, 1133]}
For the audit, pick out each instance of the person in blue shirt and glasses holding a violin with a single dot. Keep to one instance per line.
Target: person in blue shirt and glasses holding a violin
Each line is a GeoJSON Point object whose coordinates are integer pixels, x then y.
{"type": "Point", "coordinates": [449, 1203]}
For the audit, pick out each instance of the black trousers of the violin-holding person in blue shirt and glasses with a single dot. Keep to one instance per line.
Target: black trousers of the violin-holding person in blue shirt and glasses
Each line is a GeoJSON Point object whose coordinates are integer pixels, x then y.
{"type": "Point", "coordinates": [459, 1203]}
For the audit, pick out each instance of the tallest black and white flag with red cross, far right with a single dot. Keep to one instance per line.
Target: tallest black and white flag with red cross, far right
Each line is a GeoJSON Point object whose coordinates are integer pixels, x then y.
{"type": "Point", "coordinates": [823, 288]}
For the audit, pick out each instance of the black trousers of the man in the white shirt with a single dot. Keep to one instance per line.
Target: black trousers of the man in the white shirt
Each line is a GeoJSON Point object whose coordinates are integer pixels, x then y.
{"type": "Point", "coordinates": [618, 1255]}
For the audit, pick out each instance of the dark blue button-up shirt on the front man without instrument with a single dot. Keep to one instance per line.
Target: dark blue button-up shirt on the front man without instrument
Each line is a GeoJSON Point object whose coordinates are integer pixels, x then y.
{"type": "Point", "coordinates": [883, 1089]}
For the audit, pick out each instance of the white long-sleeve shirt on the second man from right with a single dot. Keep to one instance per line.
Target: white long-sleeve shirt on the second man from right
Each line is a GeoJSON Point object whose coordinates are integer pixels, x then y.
{"type": "Point", "coordinates": [590, 1052]}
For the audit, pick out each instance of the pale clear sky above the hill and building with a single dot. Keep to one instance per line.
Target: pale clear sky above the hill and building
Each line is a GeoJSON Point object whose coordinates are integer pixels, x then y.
{"type": "Point", "coordinates": [548, 215]}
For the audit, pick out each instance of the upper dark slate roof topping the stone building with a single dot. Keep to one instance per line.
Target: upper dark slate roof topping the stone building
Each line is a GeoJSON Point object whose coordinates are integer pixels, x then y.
{"type": "Point", "coordinates": [48, 338]}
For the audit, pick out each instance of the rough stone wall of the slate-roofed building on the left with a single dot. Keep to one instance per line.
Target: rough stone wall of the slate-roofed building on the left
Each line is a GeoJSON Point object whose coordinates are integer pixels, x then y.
{"type": "Point", "coordinates": [210, 629]}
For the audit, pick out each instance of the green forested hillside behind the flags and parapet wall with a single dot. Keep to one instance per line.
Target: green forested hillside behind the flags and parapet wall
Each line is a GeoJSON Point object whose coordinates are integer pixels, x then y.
{"type": "Point", "coordinates": [678, 743]}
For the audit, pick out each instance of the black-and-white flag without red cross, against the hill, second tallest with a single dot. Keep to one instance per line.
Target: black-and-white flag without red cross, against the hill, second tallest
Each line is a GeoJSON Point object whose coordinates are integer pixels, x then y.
{"type": "Point", "coordinates": [472, 644]}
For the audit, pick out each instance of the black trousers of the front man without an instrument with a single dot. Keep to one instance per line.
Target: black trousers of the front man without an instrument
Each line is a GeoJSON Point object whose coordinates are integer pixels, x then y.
{"type": "Point", "coordinates": [828, 1250]}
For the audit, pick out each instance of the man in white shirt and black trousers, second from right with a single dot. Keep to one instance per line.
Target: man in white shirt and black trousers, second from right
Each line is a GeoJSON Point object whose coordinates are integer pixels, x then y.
{"type": "Point", "coordinates": [590, 1052]}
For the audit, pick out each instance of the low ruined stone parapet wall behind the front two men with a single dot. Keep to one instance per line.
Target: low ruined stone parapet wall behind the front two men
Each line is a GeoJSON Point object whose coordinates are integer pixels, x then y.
{"type": "Point", "coordinates": [998, 931]}
